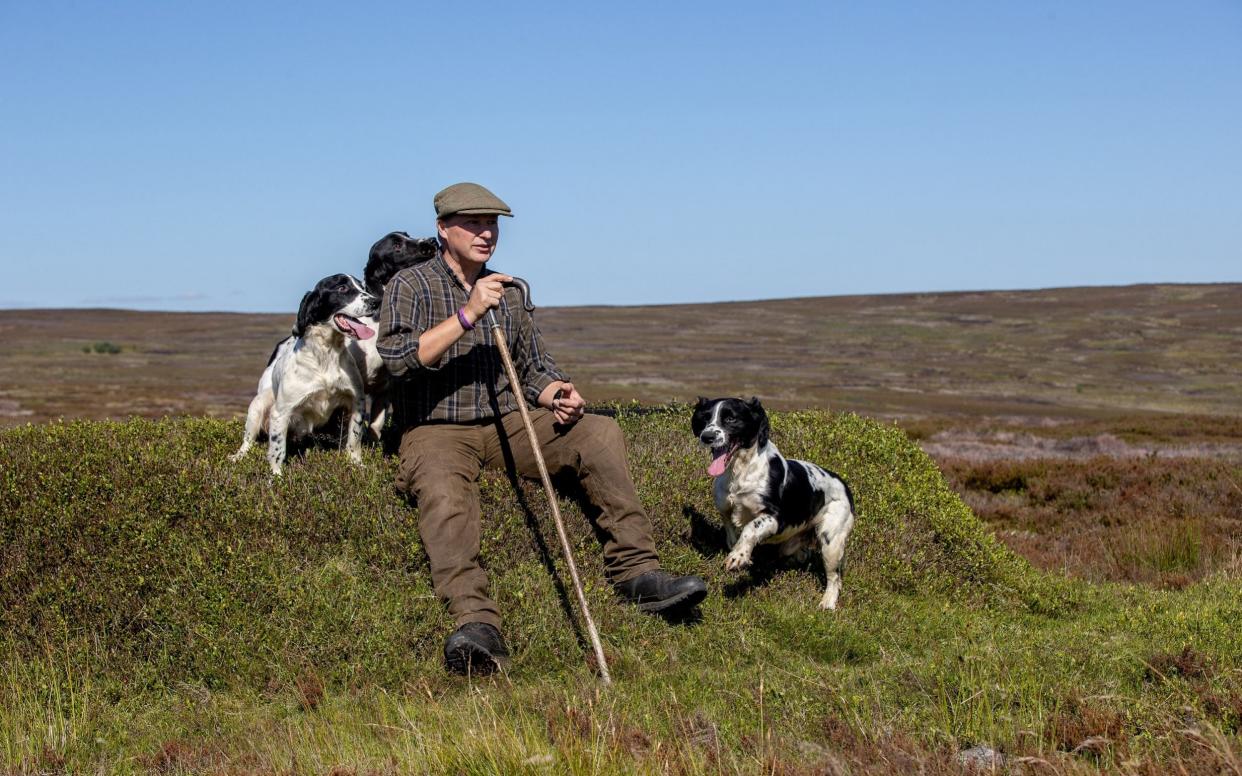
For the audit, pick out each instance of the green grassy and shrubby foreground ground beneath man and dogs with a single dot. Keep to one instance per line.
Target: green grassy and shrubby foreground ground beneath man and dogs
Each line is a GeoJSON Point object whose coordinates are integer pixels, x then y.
{"type": "Point", "coordinates": [163, 610]}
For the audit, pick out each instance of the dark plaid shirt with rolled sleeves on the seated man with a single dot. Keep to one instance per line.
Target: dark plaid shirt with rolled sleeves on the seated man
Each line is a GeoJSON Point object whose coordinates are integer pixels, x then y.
{"type": "Point", "coordinates": [469, 383]}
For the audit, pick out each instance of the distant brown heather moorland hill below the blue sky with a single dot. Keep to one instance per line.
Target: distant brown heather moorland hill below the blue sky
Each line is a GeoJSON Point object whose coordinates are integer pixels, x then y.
{"type": "Point", "coordinates": [1064, 352]}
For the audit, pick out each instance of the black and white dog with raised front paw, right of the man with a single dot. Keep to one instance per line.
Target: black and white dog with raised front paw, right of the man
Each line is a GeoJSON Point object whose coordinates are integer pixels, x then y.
{"type": "Point", "coordinates": [766, 499]}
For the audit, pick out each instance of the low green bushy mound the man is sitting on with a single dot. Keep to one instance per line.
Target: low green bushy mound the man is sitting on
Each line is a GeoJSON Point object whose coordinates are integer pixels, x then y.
{"type": "Point", "coordinates": [143, 539]}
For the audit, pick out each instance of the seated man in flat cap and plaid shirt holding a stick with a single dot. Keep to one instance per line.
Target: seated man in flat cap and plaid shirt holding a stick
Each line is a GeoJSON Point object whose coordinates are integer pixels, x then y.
{"type": "Point", "coordinates": [456, 414]}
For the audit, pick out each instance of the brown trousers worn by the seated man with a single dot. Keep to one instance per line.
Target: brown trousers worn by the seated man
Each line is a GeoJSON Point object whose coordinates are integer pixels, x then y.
{"type": "Point", "coordinates": [440, 466]}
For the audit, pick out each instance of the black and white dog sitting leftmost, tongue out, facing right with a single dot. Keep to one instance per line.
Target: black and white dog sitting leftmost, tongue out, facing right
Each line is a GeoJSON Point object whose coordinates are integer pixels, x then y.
{"type": "Point", "coordinates": [312, 373]}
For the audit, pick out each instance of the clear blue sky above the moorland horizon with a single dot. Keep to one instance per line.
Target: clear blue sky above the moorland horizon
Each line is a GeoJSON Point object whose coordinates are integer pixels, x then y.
{"type": "Point", "coordinates": [225, 156]}
